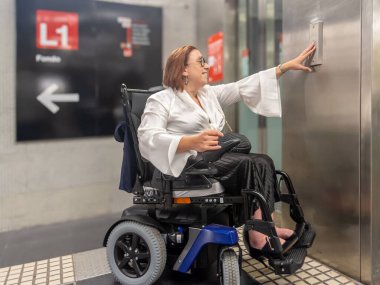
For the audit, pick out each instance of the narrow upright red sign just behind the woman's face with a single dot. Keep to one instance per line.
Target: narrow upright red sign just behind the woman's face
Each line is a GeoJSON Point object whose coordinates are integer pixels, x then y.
{"type": "Point", "coordinates": [215, 57]}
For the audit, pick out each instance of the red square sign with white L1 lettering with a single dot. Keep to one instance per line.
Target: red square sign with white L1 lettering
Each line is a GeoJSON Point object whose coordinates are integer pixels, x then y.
{"type": "Point", "coordinates": [56, 30]}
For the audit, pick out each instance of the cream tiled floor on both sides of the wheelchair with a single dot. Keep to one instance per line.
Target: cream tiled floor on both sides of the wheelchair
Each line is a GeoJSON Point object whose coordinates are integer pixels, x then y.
{"type": "Point", "coordinates": [86, 265]}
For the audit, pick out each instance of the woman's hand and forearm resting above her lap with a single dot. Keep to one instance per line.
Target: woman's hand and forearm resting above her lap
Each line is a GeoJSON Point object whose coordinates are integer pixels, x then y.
{"type": "Point", "coordinates": [206, 140]}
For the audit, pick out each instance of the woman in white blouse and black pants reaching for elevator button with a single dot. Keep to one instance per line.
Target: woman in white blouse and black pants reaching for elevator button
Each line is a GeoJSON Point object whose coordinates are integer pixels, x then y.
{"type": "Point", "coordinates": [187, 118]}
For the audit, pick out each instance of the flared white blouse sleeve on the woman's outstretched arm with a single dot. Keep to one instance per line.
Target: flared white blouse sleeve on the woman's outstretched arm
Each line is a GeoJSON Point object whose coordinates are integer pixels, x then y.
{"type": "Point", "coordinates": [259, 91]}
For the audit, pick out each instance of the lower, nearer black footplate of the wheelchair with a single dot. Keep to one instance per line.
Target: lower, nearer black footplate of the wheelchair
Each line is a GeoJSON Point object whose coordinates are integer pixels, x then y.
{"type": "Point", "coordinates": [290, 263]}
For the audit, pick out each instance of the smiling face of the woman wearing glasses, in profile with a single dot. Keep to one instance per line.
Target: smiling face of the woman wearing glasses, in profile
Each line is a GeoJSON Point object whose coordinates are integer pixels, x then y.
{"type": "Point", "coordinates": [196, 69]}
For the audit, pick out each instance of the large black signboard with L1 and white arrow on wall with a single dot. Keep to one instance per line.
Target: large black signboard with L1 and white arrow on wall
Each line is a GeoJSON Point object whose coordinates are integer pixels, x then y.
{"type": "Point", "coordinates": [72, 57]}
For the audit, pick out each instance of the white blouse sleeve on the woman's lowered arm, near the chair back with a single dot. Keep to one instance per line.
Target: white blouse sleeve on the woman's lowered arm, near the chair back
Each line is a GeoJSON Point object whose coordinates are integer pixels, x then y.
{"type": "Point", "coordinates": [156, 144]}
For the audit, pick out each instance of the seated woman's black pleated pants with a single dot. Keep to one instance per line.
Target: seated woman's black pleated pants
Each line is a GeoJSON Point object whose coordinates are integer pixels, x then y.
{"type": "Point", "coordinates": [237, 171]}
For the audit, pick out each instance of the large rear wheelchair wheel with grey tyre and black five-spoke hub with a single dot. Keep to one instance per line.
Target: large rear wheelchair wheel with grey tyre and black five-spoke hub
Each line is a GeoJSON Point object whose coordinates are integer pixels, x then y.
{"type": "Point", "coordinates": [136, 253]}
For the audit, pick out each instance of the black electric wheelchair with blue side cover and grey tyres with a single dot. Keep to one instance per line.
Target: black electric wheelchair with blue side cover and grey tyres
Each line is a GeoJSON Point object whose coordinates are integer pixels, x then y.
{"type": "Point", "coordinates": [188, 223]}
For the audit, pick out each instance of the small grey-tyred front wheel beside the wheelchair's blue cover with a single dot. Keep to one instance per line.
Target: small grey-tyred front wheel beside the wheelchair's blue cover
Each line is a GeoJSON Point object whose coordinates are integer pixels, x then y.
{"type": "Point", "coordinates": [229, 265]}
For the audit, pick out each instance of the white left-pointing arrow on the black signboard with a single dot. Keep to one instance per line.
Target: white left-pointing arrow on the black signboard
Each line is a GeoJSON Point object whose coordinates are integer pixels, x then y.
{"type": "Point", "coordinates": [47, 98]}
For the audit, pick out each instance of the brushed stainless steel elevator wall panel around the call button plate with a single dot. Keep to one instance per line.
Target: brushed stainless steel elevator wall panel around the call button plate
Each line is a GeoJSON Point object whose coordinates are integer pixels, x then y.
{"type": "Point", "coordinates": [321, 127]}
